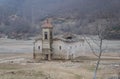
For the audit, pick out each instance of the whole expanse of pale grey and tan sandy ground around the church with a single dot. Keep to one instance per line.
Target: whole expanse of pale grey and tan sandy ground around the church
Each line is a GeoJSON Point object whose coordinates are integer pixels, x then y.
{"type": "Point", "coordinates": [16, 62]}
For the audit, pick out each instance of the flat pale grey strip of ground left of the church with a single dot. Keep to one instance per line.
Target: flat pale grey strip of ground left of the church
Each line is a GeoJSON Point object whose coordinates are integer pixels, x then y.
{"type": "Point", "coordinates": [16, 46]}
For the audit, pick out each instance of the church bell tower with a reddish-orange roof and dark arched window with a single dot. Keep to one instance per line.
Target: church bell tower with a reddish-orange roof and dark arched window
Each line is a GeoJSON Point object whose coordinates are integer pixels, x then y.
{"type": "Point", "coordinates": [47, 39]}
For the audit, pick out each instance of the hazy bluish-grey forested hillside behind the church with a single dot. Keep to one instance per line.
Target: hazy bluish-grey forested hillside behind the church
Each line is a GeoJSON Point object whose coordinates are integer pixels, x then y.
{"type": "Point", "coordinates": [16, 16]}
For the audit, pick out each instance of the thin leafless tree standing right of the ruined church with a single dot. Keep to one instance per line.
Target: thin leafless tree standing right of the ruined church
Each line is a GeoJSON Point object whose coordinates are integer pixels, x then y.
{"type": "Point", "coordinates": [101, 26]}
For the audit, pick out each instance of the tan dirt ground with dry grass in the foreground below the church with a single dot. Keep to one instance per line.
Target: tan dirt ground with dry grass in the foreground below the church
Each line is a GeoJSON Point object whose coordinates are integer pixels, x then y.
{"type": "Point", "coordinates": [22, 66]}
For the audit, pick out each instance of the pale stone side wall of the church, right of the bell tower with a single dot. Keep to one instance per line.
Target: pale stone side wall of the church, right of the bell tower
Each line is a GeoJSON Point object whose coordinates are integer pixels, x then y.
{"type": "Point", "coordinates": [73, 49]}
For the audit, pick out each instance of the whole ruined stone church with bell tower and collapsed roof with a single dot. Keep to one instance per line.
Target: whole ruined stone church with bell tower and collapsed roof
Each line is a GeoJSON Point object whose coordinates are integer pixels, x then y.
{"type": "Point", "coordinates": [66, 46]}
